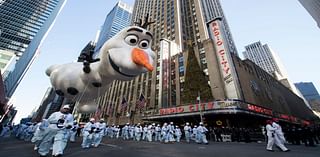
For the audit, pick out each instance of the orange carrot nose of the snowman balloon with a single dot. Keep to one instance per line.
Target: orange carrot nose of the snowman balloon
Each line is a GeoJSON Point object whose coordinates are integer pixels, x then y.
{"type": "Point", "coordinates": [141, 58]}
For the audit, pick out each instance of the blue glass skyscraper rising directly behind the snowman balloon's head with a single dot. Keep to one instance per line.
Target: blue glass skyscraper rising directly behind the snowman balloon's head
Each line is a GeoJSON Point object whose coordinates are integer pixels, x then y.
{"type": "Point", "coordinates": [117, 19]}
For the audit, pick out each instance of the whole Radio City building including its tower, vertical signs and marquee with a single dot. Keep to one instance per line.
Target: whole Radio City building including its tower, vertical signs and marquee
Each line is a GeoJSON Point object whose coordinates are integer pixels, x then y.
{"type": "Point", "coordinates": [196, 74]}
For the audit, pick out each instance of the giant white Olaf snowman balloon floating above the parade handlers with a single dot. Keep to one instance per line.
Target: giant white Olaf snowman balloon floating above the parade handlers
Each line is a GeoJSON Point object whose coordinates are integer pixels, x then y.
{"type": "Point", "coordinates": [123, 57]}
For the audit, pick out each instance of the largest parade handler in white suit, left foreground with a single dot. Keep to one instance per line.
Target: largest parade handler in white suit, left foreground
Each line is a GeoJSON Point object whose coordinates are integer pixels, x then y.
{"type": "Point", "coordinates": [59, 123]}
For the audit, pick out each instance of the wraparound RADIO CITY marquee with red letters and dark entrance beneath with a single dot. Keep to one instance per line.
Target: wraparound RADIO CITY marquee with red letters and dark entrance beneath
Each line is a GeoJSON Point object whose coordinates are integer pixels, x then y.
{"type": "Point", "coordinates": [228, 113]}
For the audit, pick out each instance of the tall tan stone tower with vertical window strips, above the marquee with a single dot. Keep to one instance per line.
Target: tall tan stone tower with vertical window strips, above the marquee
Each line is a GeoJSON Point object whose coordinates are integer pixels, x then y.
{"type": "Point", "coordinates": [177, 24]}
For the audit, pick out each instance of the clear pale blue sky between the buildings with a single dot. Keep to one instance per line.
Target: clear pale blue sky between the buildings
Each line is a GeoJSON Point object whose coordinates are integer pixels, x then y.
{"type": "Point", "coordinates": [284, 25]}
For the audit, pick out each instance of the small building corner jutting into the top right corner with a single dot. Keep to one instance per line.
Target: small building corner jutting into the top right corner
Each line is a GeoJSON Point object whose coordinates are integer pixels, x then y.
{"type": "Point", "coordinates": [313, 7]}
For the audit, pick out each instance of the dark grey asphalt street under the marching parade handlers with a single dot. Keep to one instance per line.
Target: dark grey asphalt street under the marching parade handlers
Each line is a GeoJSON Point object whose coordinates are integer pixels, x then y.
{"type": "Point", "coordinates": [12, 147]}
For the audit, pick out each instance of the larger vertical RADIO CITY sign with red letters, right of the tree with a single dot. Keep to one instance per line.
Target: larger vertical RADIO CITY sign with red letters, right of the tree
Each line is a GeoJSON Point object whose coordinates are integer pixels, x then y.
{"type": "Point", "coordinates": [227, 69]}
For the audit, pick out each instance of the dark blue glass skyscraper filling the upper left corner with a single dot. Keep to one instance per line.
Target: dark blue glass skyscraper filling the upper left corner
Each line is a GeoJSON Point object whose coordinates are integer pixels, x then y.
{"type": "Point", "coordinates": [23, 27]}
